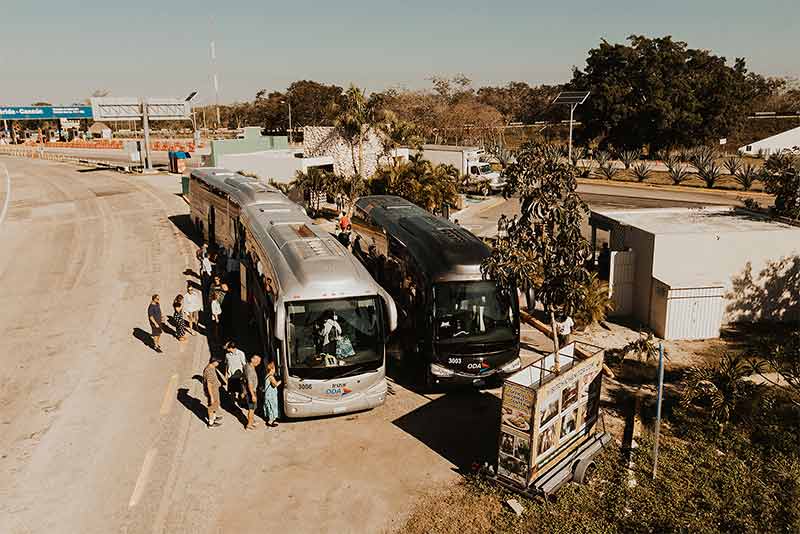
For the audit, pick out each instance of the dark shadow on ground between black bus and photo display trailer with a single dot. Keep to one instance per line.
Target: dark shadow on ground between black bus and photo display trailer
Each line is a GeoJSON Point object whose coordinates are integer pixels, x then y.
{"type": "Point", "coordinates": [461, 427]}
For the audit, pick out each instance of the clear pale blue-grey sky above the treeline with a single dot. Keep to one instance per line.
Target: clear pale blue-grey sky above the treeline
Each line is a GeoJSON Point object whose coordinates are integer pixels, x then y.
{"type": "Point", "coordinates": [60, 52]}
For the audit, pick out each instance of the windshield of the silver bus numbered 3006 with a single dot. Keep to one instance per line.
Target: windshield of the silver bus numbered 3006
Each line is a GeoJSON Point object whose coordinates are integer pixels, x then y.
{"type": "Point", "coordinates": [335, 337]}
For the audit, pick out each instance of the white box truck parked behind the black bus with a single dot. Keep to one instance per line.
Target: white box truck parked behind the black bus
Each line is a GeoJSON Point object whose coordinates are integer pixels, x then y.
{"type": "Point", "coordinates": [477, 175]}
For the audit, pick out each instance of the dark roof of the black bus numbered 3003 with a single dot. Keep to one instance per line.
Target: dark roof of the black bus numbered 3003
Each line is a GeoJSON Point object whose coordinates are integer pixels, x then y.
{"type": "Point", "coordinates": [446, 251]}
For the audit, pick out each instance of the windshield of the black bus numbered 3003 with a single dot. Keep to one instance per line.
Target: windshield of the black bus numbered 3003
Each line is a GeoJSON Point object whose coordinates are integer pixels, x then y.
{"type": "Point", "coordinates": [472, 309]}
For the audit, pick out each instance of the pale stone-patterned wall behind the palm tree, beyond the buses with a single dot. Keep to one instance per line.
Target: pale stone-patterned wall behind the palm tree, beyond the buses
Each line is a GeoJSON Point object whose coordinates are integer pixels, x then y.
{"type": "Point", "coordinates": [326, 141]}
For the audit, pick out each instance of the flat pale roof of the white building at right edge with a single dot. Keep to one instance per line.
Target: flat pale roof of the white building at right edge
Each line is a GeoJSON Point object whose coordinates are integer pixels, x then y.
{"type": "Point", "coordinates": [717, 220]}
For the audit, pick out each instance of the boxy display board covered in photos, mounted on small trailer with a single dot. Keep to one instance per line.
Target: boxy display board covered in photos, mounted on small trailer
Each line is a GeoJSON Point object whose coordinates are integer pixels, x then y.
{"type": "Point", "coordinates": [547, 415]}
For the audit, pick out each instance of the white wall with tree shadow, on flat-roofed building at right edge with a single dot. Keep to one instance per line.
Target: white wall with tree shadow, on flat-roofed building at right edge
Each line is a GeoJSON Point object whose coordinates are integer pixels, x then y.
{"type": "Point", "coordinates": [759, 271]}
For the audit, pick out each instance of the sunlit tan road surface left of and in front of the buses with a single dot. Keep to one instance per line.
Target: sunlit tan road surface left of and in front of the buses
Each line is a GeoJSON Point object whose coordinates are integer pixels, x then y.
{"type": "Point", "coordinates": [101, 434]}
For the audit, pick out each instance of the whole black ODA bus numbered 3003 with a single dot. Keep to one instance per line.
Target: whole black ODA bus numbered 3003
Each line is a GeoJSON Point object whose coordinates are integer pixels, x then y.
{"type": "Point", "coordinates": [461, 327]}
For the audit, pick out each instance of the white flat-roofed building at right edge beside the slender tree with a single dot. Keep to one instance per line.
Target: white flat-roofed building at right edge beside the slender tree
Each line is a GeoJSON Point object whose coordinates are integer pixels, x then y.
{"type": "Point", "coordinates": [687, 271]}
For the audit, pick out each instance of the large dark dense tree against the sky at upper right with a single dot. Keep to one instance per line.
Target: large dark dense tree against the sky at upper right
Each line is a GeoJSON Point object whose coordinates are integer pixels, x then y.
{"type": "Point", "coordinates": [661, 93]}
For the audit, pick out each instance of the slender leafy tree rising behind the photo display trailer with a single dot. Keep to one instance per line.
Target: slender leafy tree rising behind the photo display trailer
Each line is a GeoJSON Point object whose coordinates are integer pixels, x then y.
{"type": "Point", "coordinates": [543, 248]}
